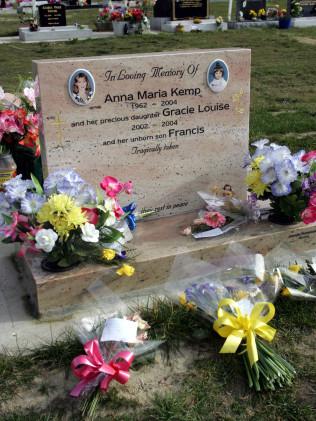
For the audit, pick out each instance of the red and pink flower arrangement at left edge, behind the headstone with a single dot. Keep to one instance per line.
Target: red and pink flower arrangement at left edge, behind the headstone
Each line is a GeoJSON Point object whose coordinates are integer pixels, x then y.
{"type": "Point", "coordinates": [19, 139]}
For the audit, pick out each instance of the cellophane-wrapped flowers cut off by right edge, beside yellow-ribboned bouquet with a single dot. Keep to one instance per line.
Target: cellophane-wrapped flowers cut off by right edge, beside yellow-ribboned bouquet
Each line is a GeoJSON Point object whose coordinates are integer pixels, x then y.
{"type": "Point", "coordinates": [298, 271]}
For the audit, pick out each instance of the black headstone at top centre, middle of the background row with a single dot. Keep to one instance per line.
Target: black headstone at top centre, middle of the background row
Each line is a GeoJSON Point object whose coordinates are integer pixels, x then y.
{"type": "Point", "coordinates": [181, 9]}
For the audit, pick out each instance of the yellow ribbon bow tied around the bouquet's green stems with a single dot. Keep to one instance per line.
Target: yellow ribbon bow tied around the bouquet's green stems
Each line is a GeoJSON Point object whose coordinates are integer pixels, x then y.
{"type": "Point", "coordinates": [235, 327]}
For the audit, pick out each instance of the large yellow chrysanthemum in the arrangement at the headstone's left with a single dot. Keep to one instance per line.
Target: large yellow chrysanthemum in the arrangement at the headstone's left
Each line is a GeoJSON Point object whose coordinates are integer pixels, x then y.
{"type": "Point", "coordinates": [62, 213]}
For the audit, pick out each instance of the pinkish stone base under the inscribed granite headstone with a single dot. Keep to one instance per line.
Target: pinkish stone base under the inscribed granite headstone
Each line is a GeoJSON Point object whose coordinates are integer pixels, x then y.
{"type": "Point", "coordinates": [156, 245]}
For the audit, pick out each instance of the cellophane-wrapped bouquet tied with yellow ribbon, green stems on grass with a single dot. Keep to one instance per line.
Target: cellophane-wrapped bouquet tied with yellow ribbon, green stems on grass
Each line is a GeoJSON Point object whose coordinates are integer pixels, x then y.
{"type": "Point", "coordinates": [237, 294]}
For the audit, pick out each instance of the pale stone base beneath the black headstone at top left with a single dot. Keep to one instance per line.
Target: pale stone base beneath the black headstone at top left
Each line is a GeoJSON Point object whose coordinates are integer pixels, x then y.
{"type": "Point", "coordinates": [55, 33]}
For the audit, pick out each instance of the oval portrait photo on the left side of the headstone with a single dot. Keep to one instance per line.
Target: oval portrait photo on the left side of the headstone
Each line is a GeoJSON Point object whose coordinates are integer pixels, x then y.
{"type": "Point", "coordinates": [81, 87]}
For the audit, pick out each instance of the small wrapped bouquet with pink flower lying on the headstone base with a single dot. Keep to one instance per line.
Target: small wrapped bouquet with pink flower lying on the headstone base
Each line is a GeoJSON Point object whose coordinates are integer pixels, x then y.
{"type": "Point", "coordinates": [223, 213]}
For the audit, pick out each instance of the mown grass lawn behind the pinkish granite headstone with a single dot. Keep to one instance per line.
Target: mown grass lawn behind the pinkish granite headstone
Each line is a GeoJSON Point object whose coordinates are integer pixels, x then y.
{"type": "Point", "coordinates": [282, 88]}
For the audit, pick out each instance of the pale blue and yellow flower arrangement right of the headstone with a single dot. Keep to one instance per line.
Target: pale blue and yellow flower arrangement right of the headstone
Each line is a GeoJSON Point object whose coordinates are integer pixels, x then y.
{"type": "Point", "coordinates": [287, 179]}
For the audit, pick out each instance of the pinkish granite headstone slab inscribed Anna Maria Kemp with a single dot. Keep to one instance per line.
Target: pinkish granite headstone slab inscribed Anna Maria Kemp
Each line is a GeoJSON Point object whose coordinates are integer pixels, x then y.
{"type": "Point", "coordinates": [173, 123]}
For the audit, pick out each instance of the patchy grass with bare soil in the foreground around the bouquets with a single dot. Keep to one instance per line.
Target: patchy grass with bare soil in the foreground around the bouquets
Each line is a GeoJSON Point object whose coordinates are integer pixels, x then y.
{"type": "Point", "coordinates": [188, 380]}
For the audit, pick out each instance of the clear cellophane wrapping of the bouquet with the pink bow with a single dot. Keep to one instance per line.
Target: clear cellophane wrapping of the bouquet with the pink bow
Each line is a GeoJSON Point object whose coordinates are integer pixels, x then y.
{"type": "Point", "coordinates": [94, 327]}
